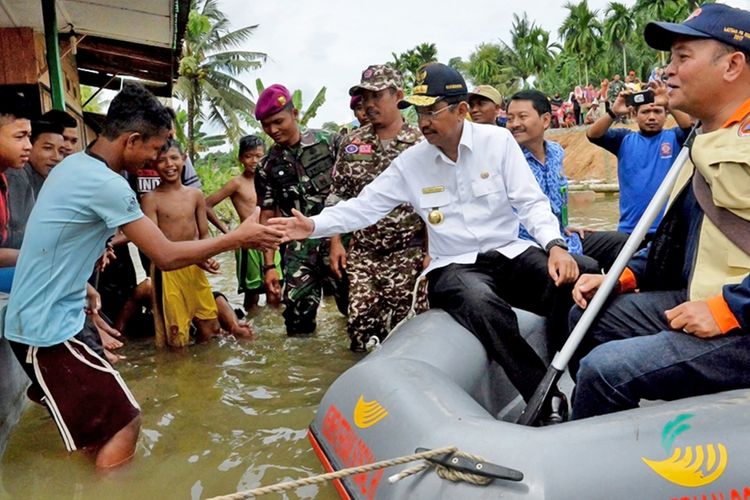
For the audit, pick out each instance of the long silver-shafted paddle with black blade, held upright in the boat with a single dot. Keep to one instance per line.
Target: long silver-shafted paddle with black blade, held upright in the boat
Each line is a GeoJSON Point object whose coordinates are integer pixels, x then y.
{"type": "Point", "coordinates": [562, 358]}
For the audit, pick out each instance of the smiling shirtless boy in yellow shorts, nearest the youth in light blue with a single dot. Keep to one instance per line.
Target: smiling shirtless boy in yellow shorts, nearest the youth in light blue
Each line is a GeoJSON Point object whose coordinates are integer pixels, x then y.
{"type": "Point", "coordinates": [183, 295]}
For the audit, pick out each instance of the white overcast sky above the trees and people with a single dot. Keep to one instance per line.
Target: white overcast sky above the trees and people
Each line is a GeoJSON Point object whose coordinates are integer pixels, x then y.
{"type": "Point", "coordinates": [311, 44]}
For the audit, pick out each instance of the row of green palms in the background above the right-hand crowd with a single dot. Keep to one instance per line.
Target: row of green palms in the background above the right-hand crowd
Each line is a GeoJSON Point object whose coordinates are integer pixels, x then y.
{"type": "Point", "coordinates": [592, 45]}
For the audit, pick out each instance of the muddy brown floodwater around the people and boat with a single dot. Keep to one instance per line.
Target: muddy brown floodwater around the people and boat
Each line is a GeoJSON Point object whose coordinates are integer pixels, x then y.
{"type": "Point", "coordinates": [222, 417]}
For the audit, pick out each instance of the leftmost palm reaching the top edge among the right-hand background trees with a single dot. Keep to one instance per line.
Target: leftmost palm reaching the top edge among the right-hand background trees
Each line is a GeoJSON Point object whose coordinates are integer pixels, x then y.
{"type": "Point", "coordinates": [581, 32]}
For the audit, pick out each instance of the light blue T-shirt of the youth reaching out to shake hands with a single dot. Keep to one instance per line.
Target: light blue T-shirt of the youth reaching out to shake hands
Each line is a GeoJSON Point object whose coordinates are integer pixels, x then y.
{"type": "Point", "coordinates": [80, 205]}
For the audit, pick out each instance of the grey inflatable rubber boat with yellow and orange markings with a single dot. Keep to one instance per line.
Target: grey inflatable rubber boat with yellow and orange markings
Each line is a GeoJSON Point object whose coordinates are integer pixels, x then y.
{"type": "Point", "coordinates": [430, 385]}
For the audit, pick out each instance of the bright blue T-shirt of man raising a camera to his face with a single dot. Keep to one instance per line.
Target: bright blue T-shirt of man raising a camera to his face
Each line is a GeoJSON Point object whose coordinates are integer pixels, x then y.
{"type": "Point", "coordinates": [642, 163]}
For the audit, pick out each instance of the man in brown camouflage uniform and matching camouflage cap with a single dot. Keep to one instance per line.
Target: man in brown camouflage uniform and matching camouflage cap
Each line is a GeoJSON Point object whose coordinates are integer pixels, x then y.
{"type": "Point", "coordinates": [385, 259]}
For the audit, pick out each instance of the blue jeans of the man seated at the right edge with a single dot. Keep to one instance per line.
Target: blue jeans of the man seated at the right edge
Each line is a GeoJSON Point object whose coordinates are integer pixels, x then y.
{"type": "Point", "coordinates": [639, 357]}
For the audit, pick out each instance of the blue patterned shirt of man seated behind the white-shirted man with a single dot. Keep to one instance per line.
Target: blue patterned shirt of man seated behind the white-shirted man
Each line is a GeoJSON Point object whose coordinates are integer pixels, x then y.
{"type": "Point", "coordinates": [551, 178]}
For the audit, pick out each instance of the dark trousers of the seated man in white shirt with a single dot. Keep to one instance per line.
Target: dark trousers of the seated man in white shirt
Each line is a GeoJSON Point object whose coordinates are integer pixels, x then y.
{"type": "Point", "coordinates": [479, 297]}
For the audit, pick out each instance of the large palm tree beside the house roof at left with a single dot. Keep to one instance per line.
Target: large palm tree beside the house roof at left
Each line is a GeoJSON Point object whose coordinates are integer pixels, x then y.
{"type": "Point", "coordinates": [209, 70]}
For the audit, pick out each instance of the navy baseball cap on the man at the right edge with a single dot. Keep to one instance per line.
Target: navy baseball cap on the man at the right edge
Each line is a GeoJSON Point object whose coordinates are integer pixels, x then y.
{"type": "Point", "coordinates": [716, 21]}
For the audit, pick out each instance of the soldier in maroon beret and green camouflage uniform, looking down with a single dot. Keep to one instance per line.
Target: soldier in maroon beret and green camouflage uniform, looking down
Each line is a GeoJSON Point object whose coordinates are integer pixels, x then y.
{"type": "Point", "coordinates": [295, 174]}
